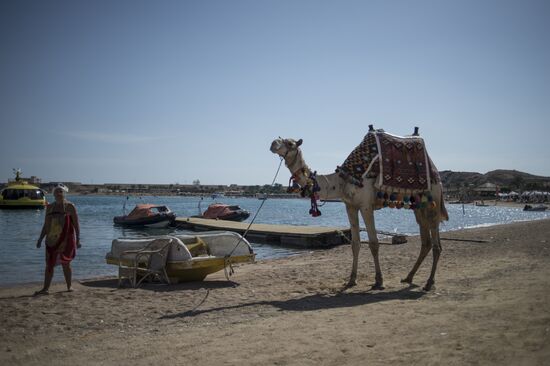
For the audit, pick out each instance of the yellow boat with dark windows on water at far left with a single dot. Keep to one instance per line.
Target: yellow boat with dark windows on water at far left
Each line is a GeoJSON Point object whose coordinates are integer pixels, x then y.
{"type": "Point", "coordinates": [20, 194]}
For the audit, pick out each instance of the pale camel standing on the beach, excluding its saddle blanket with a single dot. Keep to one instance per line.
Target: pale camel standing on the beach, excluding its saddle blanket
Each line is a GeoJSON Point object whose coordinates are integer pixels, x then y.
{"type": "Point", "coordinates": [363, 199]}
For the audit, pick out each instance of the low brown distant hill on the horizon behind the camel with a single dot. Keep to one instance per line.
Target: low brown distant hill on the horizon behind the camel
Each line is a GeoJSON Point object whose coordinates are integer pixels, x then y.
{"type": "Point", "coordinates": [506, 179]}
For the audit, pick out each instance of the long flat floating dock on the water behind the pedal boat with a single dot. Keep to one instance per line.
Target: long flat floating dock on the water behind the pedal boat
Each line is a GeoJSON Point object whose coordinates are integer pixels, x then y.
{"type": "Point", "coordinates": [286, 235]}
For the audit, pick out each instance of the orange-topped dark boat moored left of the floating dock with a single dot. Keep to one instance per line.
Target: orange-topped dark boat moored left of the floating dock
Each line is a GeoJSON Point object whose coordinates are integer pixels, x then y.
{"type": "Point", "coordinates": [147, 215]}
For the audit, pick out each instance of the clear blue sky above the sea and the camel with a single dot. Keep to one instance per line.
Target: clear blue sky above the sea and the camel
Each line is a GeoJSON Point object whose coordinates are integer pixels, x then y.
{"type": "Point", "coordinates": [174, 91]}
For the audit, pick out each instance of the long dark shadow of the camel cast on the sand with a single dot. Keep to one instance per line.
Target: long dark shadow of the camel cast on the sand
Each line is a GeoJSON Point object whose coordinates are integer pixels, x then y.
{"type": "Point", "coordinates": [316, 302]}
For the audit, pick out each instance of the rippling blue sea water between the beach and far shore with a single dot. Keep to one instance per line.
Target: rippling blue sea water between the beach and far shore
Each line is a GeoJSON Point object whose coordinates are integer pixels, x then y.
{"type": "Point", "coordinates": [21, 262]}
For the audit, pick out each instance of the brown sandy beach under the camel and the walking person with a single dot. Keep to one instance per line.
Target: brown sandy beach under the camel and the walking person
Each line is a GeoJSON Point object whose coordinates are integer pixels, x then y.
{"type": "Point", "coordinates": [491, 306]}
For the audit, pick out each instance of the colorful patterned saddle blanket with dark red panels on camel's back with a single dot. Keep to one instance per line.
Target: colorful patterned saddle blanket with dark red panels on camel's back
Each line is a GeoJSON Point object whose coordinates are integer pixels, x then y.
{"type": "Point", "coordinates": [397, 163]}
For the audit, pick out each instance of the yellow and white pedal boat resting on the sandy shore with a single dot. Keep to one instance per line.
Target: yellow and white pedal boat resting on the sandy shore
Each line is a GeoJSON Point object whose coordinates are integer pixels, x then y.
{"type": "Point", "coordinates": [190, 257]}
